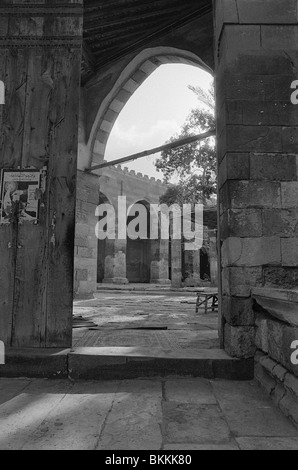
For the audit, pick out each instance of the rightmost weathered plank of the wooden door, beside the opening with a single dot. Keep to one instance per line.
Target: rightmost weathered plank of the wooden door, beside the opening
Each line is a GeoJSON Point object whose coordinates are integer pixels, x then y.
{"type": "Point", "coordinates": [62, 181]}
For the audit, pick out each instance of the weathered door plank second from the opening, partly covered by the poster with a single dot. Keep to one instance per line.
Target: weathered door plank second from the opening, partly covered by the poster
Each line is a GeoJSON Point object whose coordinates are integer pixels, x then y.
{"type": "Point", "coordinates": [31, 274]}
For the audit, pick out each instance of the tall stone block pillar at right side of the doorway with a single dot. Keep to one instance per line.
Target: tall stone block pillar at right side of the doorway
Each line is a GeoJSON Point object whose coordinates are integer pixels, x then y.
{"type": "Point", "coordinates": [256, 62]}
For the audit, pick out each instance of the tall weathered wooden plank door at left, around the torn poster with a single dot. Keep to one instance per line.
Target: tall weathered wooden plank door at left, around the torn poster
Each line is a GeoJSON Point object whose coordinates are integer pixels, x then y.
{"type": "Point", "coordinates": [40, 64]}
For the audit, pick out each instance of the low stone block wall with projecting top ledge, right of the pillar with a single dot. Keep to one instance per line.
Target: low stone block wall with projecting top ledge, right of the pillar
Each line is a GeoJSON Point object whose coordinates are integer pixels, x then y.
{"type": "Point", "coordinates": [276, 330]}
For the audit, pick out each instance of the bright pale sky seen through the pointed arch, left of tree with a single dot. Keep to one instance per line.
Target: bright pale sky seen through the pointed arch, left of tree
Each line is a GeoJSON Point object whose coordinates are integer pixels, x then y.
{"type": "Point", "coordinates": [154, 113]}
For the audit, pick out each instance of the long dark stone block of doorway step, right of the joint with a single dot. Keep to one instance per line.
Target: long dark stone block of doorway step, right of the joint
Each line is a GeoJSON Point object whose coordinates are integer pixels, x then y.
{"type": "Point", "coordinates": [127, 363]}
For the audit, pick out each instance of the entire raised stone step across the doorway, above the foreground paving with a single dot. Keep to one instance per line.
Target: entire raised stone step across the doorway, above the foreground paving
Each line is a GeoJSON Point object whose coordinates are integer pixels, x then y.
{"type": "Point", "coordinates": [113, 363]}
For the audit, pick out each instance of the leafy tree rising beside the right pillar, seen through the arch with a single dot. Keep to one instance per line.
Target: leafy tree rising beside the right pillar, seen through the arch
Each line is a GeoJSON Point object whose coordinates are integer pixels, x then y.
{"type": "Point", "coordinates": [192, 167]}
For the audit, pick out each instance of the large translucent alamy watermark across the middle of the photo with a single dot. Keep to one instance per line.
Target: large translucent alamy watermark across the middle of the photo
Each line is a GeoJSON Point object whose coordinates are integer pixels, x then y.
{"type": "Point", "coordinates": [157, 222]}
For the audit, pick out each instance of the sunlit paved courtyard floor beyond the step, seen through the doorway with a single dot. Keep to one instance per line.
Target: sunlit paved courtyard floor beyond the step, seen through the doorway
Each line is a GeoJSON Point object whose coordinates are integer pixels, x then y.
{"type": "Point", "coordinates": [161, 319]}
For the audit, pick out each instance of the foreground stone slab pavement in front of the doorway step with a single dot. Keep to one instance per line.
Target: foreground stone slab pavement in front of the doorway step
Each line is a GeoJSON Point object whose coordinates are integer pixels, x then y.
{"type": "Point", "coordinates": [160, 414]}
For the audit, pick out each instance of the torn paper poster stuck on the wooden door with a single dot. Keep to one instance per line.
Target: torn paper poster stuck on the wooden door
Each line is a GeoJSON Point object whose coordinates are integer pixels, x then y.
{"type": "Point", "coordinates": [19, 189]}
